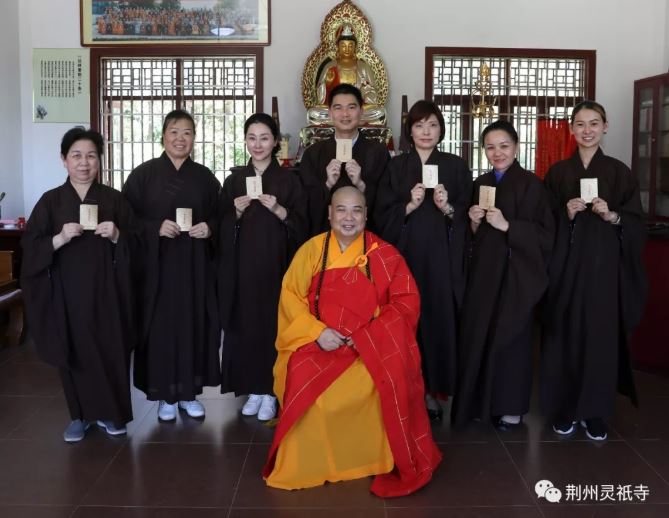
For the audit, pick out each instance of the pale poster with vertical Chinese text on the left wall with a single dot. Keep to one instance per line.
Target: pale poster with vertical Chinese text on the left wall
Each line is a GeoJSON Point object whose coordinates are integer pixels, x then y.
{"type": "Point", "coordinates": [61, 85]}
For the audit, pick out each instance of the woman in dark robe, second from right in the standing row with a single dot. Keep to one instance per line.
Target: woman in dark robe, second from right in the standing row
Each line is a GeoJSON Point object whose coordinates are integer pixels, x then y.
{"type": "Point", "coordinates": [510, 246]}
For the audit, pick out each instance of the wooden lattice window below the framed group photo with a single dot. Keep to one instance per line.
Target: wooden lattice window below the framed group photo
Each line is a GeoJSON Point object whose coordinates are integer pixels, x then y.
{"type": "Point", "coordinates": [133, 93]}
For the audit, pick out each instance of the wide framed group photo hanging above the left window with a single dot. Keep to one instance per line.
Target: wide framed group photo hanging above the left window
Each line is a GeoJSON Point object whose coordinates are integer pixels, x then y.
{"type": "Point", "coordinates": [107, 23]}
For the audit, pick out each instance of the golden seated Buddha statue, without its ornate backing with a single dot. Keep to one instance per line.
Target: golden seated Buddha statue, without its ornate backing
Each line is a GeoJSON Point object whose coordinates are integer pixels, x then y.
{"type": "Point", "coordinates": [347, 68]}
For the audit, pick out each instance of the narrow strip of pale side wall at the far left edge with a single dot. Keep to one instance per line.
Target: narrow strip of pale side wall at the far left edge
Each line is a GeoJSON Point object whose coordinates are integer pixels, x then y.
{"type": "Point", "coordinates": [10, 135]}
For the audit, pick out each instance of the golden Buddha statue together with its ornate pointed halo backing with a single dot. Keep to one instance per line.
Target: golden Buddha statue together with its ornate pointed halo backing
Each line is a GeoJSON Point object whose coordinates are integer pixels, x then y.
{"type": "Point", "coordinates": [345, 56]}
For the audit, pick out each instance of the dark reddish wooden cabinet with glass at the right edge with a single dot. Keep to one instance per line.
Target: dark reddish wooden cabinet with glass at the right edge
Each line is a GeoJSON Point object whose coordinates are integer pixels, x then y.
{"type": "Point", "coordinates": [650, 152]}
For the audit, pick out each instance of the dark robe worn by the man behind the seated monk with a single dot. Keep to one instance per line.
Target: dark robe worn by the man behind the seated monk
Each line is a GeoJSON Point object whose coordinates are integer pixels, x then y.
{"type": "Point", "coordinates": [372, 157]}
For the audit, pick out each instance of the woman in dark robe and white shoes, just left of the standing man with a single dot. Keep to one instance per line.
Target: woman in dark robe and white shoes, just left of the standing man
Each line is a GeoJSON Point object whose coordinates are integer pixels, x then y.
{"type": "Point", "coordinates": [258, 239]}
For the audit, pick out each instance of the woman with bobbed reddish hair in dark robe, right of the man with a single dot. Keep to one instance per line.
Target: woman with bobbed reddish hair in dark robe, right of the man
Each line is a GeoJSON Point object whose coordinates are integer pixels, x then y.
{"type": "Point", "coordinates": [428, 226]}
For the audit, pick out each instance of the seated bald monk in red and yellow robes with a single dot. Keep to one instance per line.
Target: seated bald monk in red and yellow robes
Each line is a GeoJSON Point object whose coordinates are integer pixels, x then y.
{"type": "Point", "coordinates": [348, 374]}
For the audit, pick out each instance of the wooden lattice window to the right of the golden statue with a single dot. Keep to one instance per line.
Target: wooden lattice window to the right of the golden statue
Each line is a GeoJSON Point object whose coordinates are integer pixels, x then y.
{"type": "Point", "coordinates": [527, 84]}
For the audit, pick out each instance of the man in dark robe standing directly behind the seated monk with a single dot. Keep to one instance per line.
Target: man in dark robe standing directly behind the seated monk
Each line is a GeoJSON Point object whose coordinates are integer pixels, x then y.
{"type": "Point", "coordinates": [322, 174]}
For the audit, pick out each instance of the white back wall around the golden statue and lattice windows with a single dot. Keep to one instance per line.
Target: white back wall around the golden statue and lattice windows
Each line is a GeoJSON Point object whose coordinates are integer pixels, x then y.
{"type": "Point", "coordinates": [629, 37]}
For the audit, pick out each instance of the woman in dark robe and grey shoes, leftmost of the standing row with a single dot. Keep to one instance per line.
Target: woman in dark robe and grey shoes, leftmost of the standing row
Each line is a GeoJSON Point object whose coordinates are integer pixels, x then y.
{"type": "Point", "coordinates": [76, 286]}
